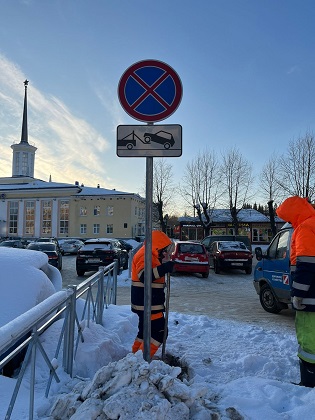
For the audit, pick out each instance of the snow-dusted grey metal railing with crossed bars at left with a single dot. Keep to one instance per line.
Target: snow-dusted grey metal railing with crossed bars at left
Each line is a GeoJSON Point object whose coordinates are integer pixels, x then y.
{"type": "Point", "coordinates": [23, 332]}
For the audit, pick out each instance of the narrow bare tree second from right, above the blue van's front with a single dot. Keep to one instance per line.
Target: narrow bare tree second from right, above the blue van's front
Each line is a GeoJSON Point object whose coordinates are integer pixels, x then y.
{"type": "Point", "coordinates": [270, 188]}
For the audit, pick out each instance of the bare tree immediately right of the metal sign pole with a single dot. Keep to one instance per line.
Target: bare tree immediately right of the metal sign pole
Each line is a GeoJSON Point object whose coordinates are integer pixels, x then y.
{"type": "Point", "coordinates": [163, 191]}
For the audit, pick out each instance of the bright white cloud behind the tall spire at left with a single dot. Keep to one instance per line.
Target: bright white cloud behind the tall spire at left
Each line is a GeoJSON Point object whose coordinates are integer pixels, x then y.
{"type": "Point", "coordinates": [68, 147]}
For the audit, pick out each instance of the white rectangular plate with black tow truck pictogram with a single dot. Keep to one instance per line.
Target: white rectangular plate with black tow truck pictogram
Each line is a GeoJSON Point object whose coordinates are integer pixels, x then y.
{"type": "Point", "coordinates": [149, 140]}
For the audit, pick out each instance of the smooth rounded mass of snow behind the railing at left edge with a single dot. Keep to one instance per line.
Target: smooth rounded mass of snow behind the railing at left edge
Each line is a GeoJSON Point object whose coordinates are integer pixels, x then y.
{"type": "Point", "coordinates": [26, 279]}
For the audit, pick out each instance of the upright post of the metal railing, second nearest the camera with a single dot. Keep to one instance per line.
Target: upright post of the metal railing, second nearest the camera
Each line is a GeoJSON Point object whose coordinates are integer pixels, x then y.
{"type": "Point", "coordinates": [68, 349]}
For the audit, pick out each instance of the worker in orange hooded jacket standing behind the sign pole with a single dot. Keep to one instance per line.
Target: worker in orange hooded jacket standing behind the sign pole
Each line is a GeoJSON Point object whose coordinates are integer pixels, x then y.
{"type": "Point", "coordinates": [161, 245]}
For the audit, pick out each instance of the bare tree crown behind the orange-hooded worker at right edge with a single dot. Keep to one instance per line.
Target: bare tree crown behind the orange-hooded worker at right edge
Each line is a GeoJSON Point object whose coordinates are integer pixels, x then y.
{"type": "Point", "coordinates": [297, 168]}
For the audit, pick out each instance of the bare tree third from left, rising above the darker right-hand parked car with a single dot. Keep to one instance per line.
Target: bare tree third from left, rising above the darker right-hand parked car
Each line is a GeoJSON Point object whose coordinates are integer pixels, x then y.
{"type": "Point", "coordinates": [236, 179]}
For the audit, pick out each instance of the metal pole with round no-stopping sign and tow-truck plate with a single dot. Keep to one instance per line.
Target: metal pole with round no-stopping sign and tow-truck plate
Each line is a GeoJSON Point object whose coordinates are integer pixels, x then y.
{"type": "Point", "coordinates": [149, 91]}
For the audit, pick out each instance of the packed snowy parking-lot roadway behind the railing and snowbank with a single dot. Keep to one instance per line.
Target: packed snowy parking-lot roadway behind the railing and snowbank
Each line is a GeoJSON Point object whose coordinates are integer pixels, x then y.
{"type": "Point", "coordinates": [229, 295]}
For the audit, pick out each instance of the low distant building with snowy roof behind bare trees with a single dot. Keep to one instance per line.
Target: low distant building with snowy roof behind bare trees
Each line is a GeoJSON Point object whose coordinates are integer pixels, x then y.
{"type": "Point", "coordinates": [251, 223]}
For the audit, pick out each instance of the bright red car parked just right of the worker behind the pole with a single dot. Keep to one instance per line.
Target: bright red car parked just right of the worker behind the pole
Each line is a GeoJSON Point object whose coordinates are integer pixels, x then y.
{"type": "Point", "coordinates": [190, 257]}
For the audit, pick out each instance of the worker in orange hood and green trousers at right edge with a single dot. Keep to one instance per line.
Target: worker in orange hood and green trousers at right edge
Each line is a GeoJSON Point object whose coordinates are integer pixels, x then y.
{"type": "Point", "coordinates": [300, 213]}
